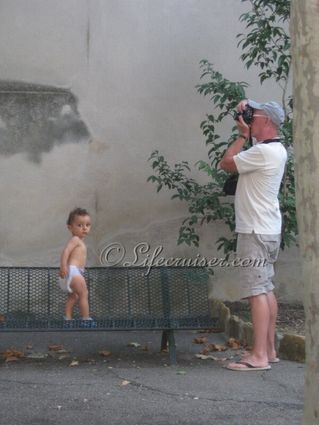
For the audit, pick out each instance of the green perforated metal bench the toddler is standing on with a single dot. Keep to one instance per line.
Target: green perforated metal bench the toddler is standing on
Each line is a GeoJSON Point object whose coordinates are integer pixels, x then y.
{"type": "Point", "coordinates": [121, 298]}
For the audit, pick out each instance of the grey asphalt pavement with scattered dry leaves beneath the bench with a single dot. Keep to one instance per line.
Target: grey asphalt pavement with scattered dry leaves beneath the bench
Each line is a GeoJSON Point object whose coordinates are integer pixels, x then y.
{"type": "Point", "coordinates": [121, 378]}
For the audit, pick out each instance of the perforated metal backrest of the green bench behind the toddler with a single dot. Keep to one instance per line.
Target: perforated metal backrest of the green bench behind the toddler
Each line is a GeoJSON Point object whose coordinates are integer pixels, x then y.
{"type": "Point", "coordinates": [114, 292]}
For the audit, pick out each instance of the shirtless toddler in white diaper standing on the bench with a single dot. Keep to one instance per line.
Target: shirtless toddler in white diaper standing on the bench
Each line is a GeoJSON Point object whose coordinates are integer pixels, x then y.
{"type": "Point", "coordinates": [73, 260]}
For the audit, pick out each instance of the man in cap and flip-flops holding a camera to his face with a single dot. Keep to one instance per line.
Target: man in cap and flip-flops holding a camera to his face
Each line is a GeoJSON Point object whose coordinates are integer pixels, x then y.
{"type": "Point", "coordinates": [258, 220]}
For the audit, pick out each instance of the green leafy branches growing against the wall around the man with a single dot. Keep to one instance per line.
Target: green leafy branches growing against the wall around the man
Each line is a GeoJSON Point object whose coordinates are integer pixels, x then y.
{"type": "Point", "coordinates": [266, 46]}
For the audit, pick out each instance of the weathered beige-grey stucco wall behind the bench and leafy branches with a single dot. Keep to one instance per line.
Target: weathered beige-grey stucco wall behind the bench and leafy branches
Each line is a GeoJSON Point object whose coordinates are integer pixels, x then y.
{"type": "Point", "coordinates": [89, 88]}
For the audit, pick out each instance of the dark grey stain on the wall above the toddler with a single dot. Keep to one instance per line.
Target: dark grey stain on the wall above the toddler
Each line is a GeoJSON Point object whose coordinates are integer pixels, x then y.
{"type": "Point", "coordinates": [34, 118]}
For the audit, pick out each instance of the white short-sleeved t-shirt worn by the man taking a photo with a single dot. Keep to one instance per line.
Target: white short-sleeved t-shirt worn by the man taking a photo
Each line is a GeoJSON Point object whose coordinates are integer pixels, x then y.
{"type": "Point", "coordinates": [256, 201]}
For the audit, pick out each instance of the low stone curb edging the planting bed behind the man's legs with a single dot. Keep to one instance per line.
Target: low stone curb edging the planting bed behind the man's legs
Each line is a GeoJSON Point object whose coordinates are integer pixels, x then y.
{"type": "Point", "coordinates": [289, 346]}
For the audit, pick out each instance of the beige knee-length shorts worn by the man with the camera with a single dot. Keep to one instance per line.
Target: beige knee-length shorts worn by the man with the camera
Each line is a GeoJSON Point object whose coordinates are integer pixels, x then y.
{"type": "Point", "coordinates": [256, 276]}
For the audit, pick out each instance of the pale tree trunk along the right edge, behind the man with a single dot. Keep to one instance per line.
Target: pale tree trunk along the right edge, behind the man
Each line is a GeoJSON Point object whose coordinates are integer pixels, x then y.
{"type": "Point", "coordinates": [305, 51]}
